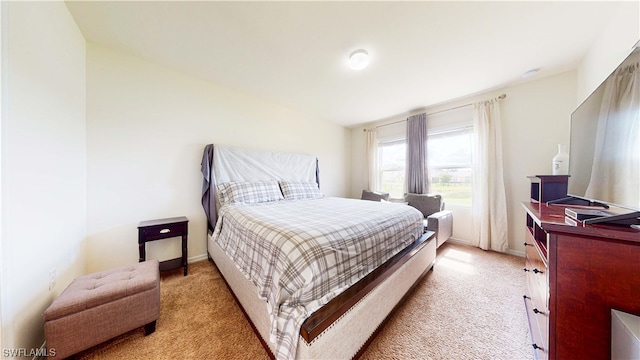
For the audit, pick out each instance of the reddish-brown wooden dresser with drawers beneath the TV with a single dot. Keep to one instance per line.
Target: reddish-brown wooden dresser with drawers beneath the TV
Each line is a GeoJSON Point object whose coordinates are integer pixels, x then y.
{"type": "Point", "coordinates": [575, 276]}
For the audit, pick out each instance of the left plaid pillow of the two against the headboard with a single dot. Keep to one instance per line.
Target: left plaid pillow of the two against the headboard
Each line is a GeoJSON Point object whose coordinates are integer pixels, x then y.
{"type": "Point", "coordinates": [249, 192]}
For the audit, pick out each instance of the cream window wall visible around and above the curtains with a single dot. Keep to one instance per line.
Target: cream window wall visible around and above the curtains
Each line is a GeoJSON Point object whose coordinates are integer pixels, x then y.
{"type": "Point", "coordinates": [535, 118]}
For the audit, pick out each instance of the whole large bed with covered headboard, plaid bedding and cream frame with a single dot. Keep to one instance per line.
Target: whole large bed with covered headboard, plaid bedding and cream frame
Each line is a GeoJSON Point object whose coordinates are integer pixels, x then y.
{"type": "Point", "coordinates": [316, 276]}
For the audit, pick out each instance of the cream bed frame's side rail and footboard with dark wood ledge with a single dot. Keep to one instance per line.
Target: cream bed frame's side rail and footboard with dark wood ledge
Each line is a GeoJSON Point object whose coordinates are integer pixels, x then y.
{"type": "Point", "coordinates": [359, 311]}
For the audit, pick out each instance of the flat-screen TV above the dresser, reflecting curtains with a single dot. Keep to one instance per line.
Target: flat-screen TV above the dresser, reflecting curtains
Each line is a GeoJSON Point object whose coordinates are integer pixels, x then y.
{"type": "Point", "coordinates": [604, 150]}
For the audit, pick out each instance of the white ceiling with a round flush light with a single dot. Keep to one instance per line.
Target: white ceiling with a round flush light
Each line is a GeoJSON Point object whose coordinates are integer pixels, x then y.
{"type": "Point", "coordinates": [295, 53]}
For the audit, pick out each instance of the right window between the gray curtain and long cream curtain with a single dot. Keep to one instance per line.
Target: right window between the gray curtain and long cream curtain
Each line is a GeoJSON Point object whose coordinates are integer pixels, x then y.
{"type": "Point", "coordinates": [449, 165]}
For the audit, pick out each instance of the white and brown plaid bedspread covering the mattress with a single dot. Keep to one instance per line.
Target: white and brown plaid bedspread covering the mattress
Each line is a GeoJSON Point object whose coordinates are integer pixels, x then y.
{"type": "Point", "coordinates": [302, 253]}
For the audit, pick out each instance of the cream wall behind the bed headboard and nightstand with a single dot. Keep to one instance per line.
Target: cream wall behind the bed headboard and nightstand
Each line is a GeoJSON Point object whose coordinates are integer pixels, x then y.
{"type": "Point", "coordinates": [146, 128]}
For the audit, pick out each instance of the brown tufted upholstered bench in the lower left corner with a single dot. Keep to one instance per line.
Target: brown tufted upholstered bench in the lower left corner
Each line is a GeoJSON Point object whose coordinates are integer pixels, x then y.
{"type": "Point", "coordinates": [97, 307]}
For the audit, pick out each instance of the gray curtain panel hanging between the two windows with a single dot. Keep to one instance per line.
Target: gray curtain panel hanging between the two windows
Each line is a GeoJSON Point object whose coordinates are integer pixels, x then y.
{"type": "Point", "coordinates": [417, 180]}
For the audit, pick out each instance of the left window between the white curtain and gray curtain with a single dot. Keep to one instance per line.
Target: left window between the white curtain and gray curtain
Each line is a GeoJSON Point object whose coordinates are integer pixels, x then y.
{"type": "Point", "coordinates": [392, 155]}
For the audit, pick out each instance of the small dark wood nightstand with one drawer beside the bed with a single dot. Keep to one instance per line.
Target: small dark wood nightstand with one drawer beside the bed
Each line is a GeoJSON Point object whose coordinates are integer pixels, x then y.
{"type": "Point", "coordinates": [151, 230]}
